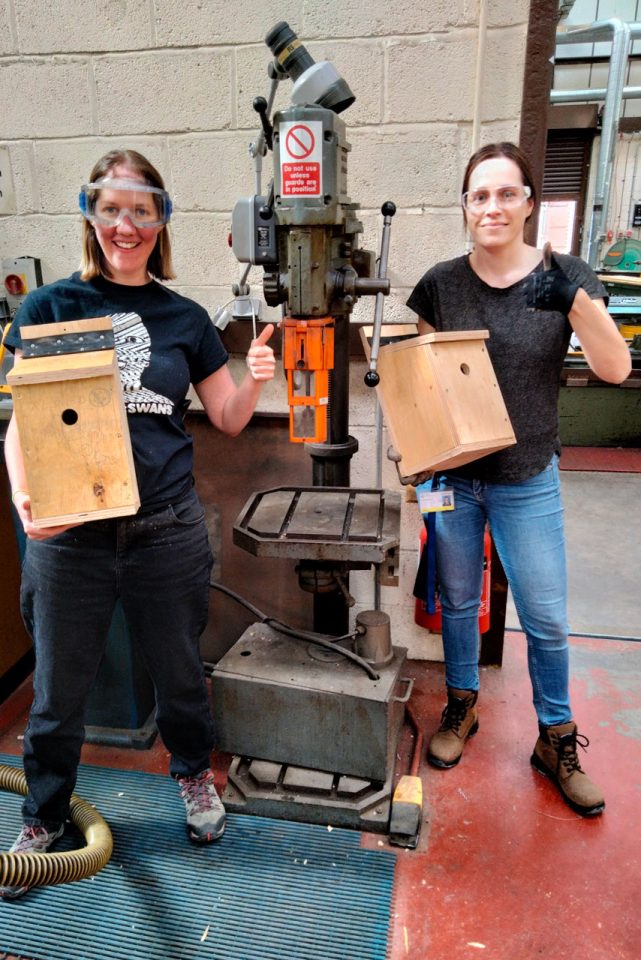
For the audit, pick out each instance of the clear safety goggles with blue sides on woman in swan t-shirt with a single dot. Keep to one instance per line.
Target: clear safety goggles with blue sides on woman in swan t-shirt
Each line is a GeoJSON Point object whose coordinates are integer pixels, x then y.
{"type": "Point", "coordinates": [109, 201]}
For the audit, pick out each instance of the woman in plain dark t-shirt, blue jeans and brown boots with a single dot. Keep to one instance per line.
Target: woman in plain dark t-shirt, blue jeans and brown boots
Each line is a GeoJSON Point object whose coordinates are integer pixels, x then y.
{"type": "Point", "coordinates": [530, 313]}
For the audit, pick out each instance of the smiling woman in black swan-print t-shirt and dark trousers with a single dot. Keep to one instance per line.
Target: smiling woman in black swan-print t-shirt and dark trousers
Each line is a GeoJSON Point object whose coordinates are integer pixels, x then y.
{"type": "Point", "coordinates": [156, 562]}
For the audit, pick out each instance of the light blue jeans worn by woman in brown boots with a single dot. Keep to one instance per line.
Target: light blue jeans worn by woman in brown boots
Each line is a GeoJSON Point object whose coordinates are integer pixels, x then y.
{"type": "Point", "coordinates": [526, 523]}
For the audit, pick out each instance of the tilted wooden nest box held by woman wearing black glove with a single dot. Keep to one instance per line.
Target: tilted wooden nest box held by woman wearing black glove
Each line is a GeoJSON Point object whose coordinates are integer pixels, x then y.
{"type": "Point", "coordinates": [440, 398]}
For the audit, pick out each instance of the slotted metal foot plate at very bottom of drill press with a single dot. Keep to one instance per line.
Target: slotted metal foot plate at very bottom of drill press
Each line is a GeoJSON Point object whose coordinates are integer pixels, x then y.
{"type": "Point", "coordinates": [267, 789]}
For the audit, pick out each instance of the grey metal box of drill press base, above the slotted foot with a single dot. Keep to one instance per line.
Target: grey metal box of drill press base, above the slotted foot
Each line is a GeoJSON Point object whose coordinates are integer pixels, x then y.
{"type": "Point", "coordinates": [291, 702]}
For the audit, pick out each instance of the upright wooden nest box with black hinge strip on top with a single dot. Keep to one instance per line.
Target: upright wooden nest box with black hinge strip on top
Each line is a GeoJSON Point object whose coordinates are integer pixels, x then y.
{"type": "Point", "coordinates": [69, 408]}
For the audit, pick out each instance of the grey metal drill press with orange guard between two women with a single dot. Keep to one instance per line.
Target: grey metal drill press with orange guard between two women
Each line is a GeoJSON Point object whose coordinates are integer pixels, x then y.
{"type": "Point", "coordinates": [313, 720]}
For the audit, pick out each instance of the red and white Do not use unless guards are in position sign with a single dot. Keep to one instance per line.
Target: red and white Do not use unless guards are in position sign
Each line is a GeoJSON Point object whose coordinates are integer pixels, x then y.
{"type": "Point", "coordinates": [301, 159]}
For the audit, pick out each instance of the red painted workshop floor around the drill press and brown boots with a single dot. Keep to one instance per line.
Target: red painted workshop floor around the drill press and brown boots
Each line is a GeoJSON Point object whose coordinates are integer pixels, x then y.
{"type": "Point", "coordinates": [504, 870]}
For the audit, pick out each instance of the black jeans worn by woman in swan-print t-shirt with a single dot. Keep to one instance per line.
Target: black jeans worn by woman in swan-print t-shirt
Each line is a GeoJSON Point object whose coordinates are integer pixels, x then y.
{"type": "Point", "coordinates": [159, 565]}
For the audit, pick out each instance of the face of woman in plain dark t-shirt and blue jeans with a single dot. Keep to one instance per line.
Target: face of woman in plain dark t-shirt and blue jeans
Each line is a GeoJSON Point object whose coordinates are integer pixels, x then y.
{"type": "Point", "coordinates": [495, 226]}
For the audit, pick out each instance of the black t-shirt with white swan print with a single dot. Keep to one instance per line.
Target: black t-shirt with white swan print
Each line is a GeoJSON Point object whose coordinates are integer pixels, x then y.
{"type": "Point", "coordinates": [164, 342]}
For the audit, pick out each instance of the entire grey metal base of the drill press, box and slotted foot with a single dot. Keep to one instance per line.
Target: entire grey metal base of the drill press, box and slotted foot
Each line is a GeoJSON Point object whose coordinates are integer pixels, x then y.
{"type": "Point", "coordinates": [306, 711]}
